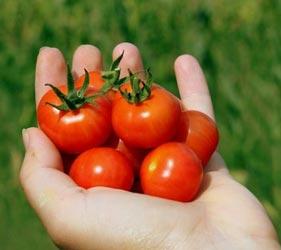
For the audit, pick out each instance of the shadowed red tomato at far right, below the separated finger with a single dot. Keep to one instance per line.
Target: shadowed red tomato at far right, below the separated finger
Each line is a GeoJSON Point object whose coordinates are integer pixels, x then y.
{"type": "Point", "coordinates": [202, 135]}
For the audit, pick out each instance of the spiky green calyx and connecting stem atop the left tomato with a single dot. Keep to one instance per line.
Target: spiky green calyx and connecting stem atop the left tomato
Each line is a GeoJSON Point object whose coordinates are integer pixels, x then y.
{"type": "Point", "coordinates": [75, 99]}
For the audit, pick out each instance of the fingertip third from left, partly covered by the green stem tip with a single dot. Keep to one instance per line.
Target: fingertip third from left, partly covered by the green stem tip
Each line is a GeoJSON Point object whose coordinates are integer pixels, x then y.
{"type": "Point", "coordinates": [131, 60]}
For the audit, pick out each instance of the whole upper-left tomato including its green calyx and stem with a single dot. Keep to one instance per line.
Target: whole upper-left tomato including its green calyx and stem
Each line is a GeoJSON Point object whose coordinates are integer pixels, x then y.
{"type": "Point", "coordinates": [78, 118]}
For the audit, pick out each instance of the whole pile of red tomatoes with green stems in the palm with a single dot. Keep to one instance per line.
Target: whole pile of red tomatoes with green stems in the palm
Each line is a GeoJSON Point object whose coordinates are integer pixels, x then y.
{"type": "Point", "coordinates": [128, 133]}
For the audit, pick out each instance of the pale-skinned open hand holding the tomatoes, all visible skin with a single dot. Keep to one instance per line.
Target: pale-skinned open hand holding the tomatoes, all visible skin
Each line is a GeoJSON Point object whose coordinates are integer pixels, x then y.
{"type": "Point", "coordinates": [225, 215]}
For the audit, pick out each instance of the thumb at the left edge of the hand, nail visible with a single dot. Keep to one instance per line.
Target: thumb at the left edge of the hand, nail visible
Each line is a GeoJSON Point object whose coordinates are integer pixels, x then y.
{"type": "Point", "coordinates": [41, 175]}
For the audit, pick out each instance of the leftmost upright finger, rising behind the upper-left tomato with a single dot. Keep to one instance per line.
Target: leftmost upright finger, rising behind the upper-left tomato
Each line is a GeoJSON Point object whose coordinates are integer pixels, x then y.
{"type": "Point", "coordinates": [50, 68]}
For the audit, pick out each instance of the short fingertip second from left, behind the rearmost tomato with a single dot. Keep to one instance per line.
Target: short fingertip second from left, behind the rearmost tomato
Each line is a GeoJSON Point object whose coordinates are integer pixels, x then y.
{"type": "Point", "coordinates": [86, 57]}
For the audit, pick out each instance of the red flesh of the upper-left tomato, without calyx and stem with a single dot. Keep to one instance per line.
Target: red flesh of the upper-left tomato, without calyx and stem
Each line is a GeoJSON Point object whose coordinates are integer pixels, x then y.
{"type": "Point", "coordinates": [78, 130]}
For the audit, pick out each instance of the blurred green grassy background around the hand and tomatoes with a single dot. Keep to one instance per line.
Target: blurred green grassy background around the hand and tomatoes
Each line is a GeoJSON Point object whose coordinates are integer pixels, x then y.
{"type": "Point", "coordinates": [237, 43]}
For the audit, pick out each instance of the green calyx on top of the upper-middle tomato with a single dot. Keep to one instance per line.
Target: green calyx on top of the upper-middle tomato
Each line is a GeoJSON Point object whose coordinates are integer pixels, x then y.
{"type": "Point", "coordinates": [141, 90]}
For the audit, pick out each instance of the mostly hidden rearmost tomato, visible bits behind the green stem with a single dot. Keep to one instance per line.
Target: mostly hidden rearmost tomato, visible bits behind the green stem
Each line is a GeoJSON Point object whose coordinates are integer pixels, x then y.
{"type": "Point", "coordinates": [96, 81]}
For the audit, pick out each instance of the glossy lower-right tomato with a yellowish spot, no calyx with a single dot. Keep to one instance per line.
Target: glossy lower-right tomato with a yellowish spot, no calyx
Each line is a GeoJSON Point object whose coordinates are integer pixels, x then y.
{"type": "Point", "coordinates": [171, 171]}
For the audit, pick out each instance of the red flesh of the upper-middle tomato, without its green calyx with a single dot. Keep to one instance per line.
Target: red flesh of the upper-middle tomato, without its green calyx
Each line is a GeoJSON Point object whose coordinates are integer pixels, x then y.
{"type": "Point", "coordinates": [149, 123]}
